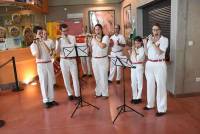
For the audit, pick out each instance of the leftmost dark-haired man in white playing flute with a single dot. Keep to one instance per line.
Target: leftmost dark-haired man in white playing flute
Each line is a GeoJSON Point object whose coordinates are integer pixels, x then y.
{"type": "Point", "coordinates": [44, 66]}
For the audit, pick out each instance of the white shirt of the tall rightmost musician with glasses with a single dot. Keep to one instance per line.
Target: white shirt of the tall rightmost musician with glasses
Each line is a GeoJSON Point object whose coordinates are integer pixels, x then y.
{"type": "Point", "coordinates": [153, 54]}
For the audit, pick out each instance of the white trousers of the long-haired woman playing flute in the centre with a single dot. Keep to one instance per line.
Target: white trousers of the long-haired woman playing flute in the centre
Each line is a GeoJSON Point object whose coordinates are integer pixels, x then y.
{"type": "Point", "coordinates": [100, 70]}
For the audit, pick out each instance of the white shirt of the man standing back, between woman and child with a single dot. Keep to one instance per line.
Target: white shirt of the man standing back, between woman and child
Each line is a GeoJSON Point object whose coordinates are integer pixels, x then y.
{"type": "Point", "coordinates": [121, 39]}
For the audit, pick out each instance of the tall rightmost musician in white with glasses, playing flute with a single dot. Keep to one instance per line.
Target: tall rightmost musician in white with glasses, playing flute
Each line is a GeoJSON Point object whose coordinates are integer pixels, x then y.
{"type": "Point", "coordinates": [156, 71]}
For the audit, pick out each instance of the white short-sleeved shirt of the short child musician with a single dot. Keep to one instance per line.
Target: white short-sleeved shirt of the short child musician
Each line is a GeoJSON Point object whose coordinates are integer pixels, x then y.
{"type": "Point", "coordinates": [140, 56]}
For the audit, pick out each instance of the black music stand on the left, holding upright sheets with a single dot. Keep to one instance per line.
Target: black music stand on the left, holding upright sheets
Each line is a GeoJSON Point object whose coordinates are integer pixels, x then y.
{"type": "Point", "coordinates": [78, 51]}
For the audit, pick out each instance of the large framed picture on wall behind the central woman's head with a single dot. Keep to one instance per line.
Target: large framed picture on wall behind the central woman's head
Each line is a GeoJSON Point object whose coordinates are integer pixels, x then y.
{"type": "Point", "coordinates": [104, 17]}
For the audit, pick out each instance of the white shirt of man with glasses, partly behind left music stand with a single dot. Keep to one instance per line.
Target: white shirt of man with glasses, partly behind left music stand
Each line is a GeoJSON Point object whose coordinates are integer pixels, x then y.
{"type": "Point", "coordinates": [64, 43]}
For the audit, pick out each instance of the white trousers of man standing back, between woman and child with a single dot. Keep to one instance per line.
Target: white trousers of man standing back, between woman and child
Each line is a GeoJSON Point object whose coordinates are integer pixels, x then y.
{"type": "Point", "coordinates": [113, 68]}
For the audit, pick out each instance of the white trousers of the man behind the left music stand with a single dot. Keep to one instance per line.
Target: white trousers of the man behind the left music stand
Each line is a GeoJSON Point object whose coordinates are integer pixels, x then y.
{"type": "Point", "coordinates": [69, 66]}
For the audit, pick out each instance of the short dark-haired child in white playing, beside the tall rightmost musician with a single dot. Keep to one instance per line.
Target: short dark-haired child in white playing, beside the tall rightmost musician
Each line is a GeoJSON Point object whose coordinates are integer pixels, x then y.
{"type": "Point", "coordinates": [137, 56]}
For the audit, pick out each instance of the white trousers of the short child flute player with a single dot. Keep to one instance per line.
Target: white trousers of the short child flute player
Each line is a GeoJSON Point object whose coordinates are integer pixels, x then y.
{"type": "Point", "coordinates": [137, 82]}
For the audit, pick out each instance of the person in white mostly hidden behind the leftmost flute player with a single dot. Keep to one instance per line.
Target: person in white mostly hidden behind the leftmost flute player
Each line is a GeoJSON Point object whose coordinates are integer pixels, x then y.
{"type": "Point", "coordinates": [51, 45]}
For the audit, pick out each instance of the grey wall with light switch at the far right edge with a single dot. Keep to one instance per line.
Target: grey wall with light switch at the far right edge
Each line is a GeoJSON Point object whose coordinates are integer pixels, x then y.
{"type": "Point", "coordinates": [192, 62]}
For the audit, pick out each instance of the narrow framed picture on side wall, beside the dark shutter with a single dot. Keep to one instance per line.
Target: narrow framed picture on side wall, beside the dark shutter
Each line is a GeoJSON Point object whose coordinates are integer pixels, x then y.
{"type": "Point", "coordinates": [127, 21]}
